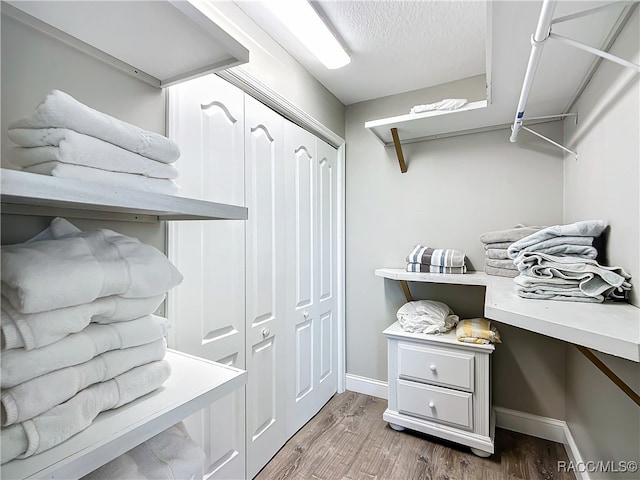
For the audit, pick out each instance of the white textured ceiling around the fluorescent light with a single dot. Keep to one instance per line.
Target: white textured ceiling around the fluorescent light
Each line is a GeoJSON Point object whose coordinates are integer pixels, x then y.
{"type": "Point", "coordinates": [395, 46]}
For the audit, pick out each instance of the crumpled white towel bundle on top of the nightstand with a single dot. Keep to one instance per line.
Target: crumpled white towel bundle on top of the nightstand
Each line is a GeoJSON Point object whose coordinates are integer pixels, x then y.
{"type": "Point", "coordinates": [426, 316]}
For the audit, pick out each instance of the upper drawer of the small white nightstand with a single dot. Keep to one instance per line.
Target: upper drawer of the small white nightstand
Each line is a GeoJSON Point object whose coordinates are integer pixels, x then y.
{"type": "Point", "coordinates": [435, 365]}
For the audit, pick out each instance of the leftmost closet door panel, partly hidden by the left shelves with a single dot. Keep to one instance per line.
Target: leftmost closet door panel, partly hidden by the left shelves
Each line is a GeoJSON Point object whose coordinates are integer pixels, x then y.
{"type": "Point", "coordinates": [207, 309]}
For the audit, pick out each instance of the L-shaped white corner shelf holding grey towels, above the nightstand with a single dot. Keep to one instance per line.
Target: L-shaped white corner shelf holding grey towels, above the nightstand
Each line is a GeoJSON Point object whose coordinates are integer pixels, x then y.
{"type": "Point", "coordinates": [612, 328]}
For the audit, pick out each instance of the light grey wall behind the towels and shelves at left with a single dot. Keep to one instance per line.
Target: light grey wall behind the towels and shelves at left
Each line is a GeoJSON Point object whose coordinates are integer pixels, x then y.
{"type": "Point", "coordinates": [32, 65]}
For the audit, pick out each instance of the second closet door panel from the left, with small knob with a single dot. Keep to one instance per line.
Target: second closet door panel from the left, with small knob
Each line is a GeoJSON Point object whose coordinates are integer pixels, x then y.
{"type": "Point", "coordinates": [265, 281]}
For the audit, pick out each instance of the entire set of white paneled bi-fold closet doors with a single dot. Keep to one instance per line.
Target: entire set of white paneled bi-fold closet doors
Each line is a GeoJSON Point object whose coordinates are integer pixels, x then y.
{"type": "Point", "coordinates": [259, 294]}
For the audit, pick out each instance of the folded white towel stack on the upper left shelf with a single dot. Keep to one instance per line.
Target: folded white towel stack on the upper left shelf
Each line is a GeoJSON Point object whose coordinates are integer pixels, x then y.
{"type": "Point", "coordinates": [65, 138]}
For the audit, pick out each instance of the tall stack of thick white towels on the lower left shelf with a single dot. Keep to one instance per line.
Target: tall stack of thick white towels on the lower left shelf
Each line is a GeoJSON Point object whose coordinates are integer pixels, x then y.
{"type": "Point", "coordinates": [78, 333]}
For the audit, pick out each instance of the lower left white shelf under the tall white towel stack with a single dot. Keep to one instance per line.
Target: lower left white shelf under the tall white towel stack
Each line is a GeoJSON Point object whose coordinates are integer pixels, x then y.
{"type": "Point", "coordinates": [193, 384]}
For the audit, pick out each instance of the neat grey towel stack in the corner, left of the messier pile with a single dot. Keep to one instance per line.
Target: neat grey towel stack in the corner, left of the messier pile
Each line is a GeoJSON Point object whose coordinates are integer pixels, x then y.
{"type": "Point", "coordinates": [496, 243]}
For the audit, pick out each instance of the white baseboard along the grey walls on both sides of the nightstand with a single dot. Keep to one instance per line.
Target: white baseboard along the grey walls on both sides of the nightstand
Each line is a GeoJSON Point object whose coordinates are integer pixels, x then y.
{"type": "Point", "coordinates": [516, 421]}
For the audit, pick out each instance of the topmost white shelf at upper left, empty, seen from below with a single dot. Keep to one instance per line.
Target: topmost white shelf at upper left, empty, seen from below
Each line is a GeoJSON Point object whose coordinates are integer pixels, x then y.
{"type": "Point", "coordinates": [160, 42]}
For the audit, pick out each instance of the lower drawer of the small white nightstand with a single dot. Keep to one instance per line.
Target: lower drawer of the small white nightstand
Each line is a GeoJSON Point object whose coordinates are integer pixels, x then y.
{"type": "Point", "coordinates": [435, 403]}
